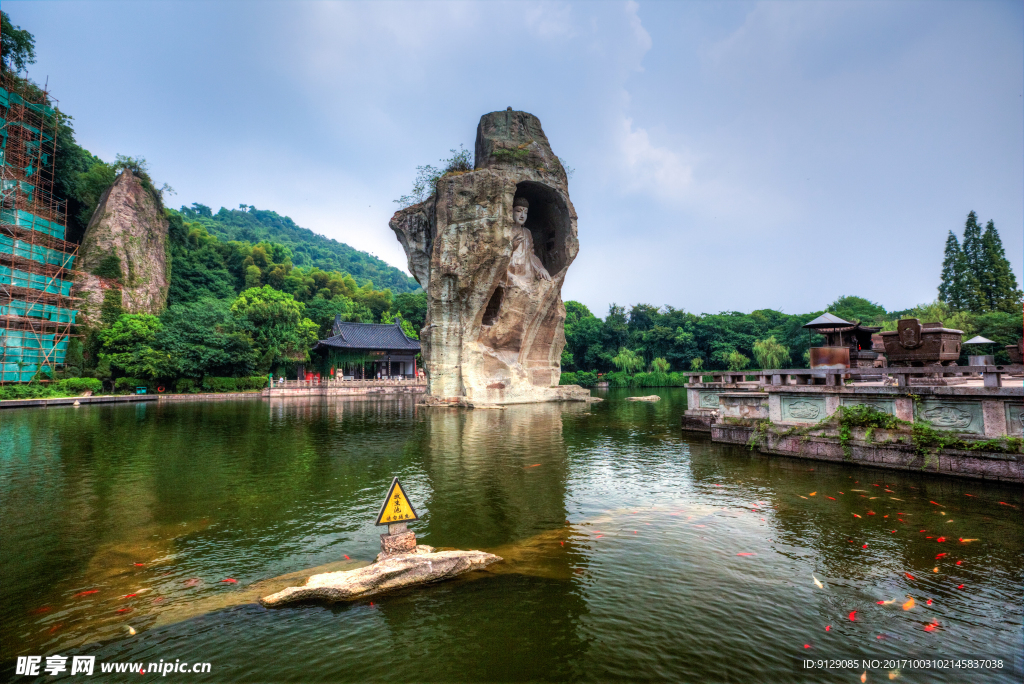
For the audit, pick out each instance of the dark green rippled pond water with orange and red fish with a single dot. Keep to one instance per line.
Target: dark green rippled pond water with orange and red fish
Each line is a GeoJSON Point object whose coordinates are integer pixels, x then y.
{"type": "Point", "coordinates": [635, 552]}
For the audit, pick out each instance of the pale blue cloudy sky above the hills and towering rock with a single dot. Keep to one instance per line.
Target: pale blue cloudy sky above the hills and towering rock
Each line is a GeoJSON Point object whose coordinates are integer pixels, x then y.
{"type": "Point", "coordinates": [728, 156]}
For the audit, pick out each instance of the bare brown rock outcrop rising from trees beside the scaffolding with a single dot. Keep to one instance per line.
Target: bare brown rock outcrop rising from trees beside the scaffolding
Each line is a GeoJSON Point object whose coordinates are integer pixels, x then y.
{"type": "Point", "coordinates": [125, 246]}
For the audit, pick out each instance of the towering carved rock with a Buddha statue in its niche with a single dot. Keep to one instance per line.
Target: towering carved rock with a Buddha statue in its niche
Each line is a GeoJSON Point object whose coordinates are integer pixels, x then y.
{"type": "Point", "coordinates": [491, 248]}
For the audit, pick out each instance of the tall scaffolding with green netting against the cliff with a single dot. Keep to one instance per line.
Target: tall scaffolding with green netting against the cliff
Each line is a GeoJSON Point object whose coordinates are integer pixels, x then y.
{"type": "Point", "coordinates": [37, 312]}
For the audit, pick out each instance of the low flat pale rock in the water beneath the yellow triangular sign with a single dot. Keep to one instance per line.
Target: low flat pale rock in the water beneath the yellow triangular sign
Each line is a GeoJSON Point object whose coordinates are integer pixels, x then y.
{"type": "Point", "coordinates": [390, 573]}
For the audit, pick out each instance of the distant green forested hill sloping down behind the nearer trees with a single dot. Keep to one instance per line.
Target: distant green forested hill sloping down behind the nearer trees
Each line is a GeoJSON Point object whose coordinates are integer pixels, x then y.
{"type": "Point", "coordinates": [309, 249]}
